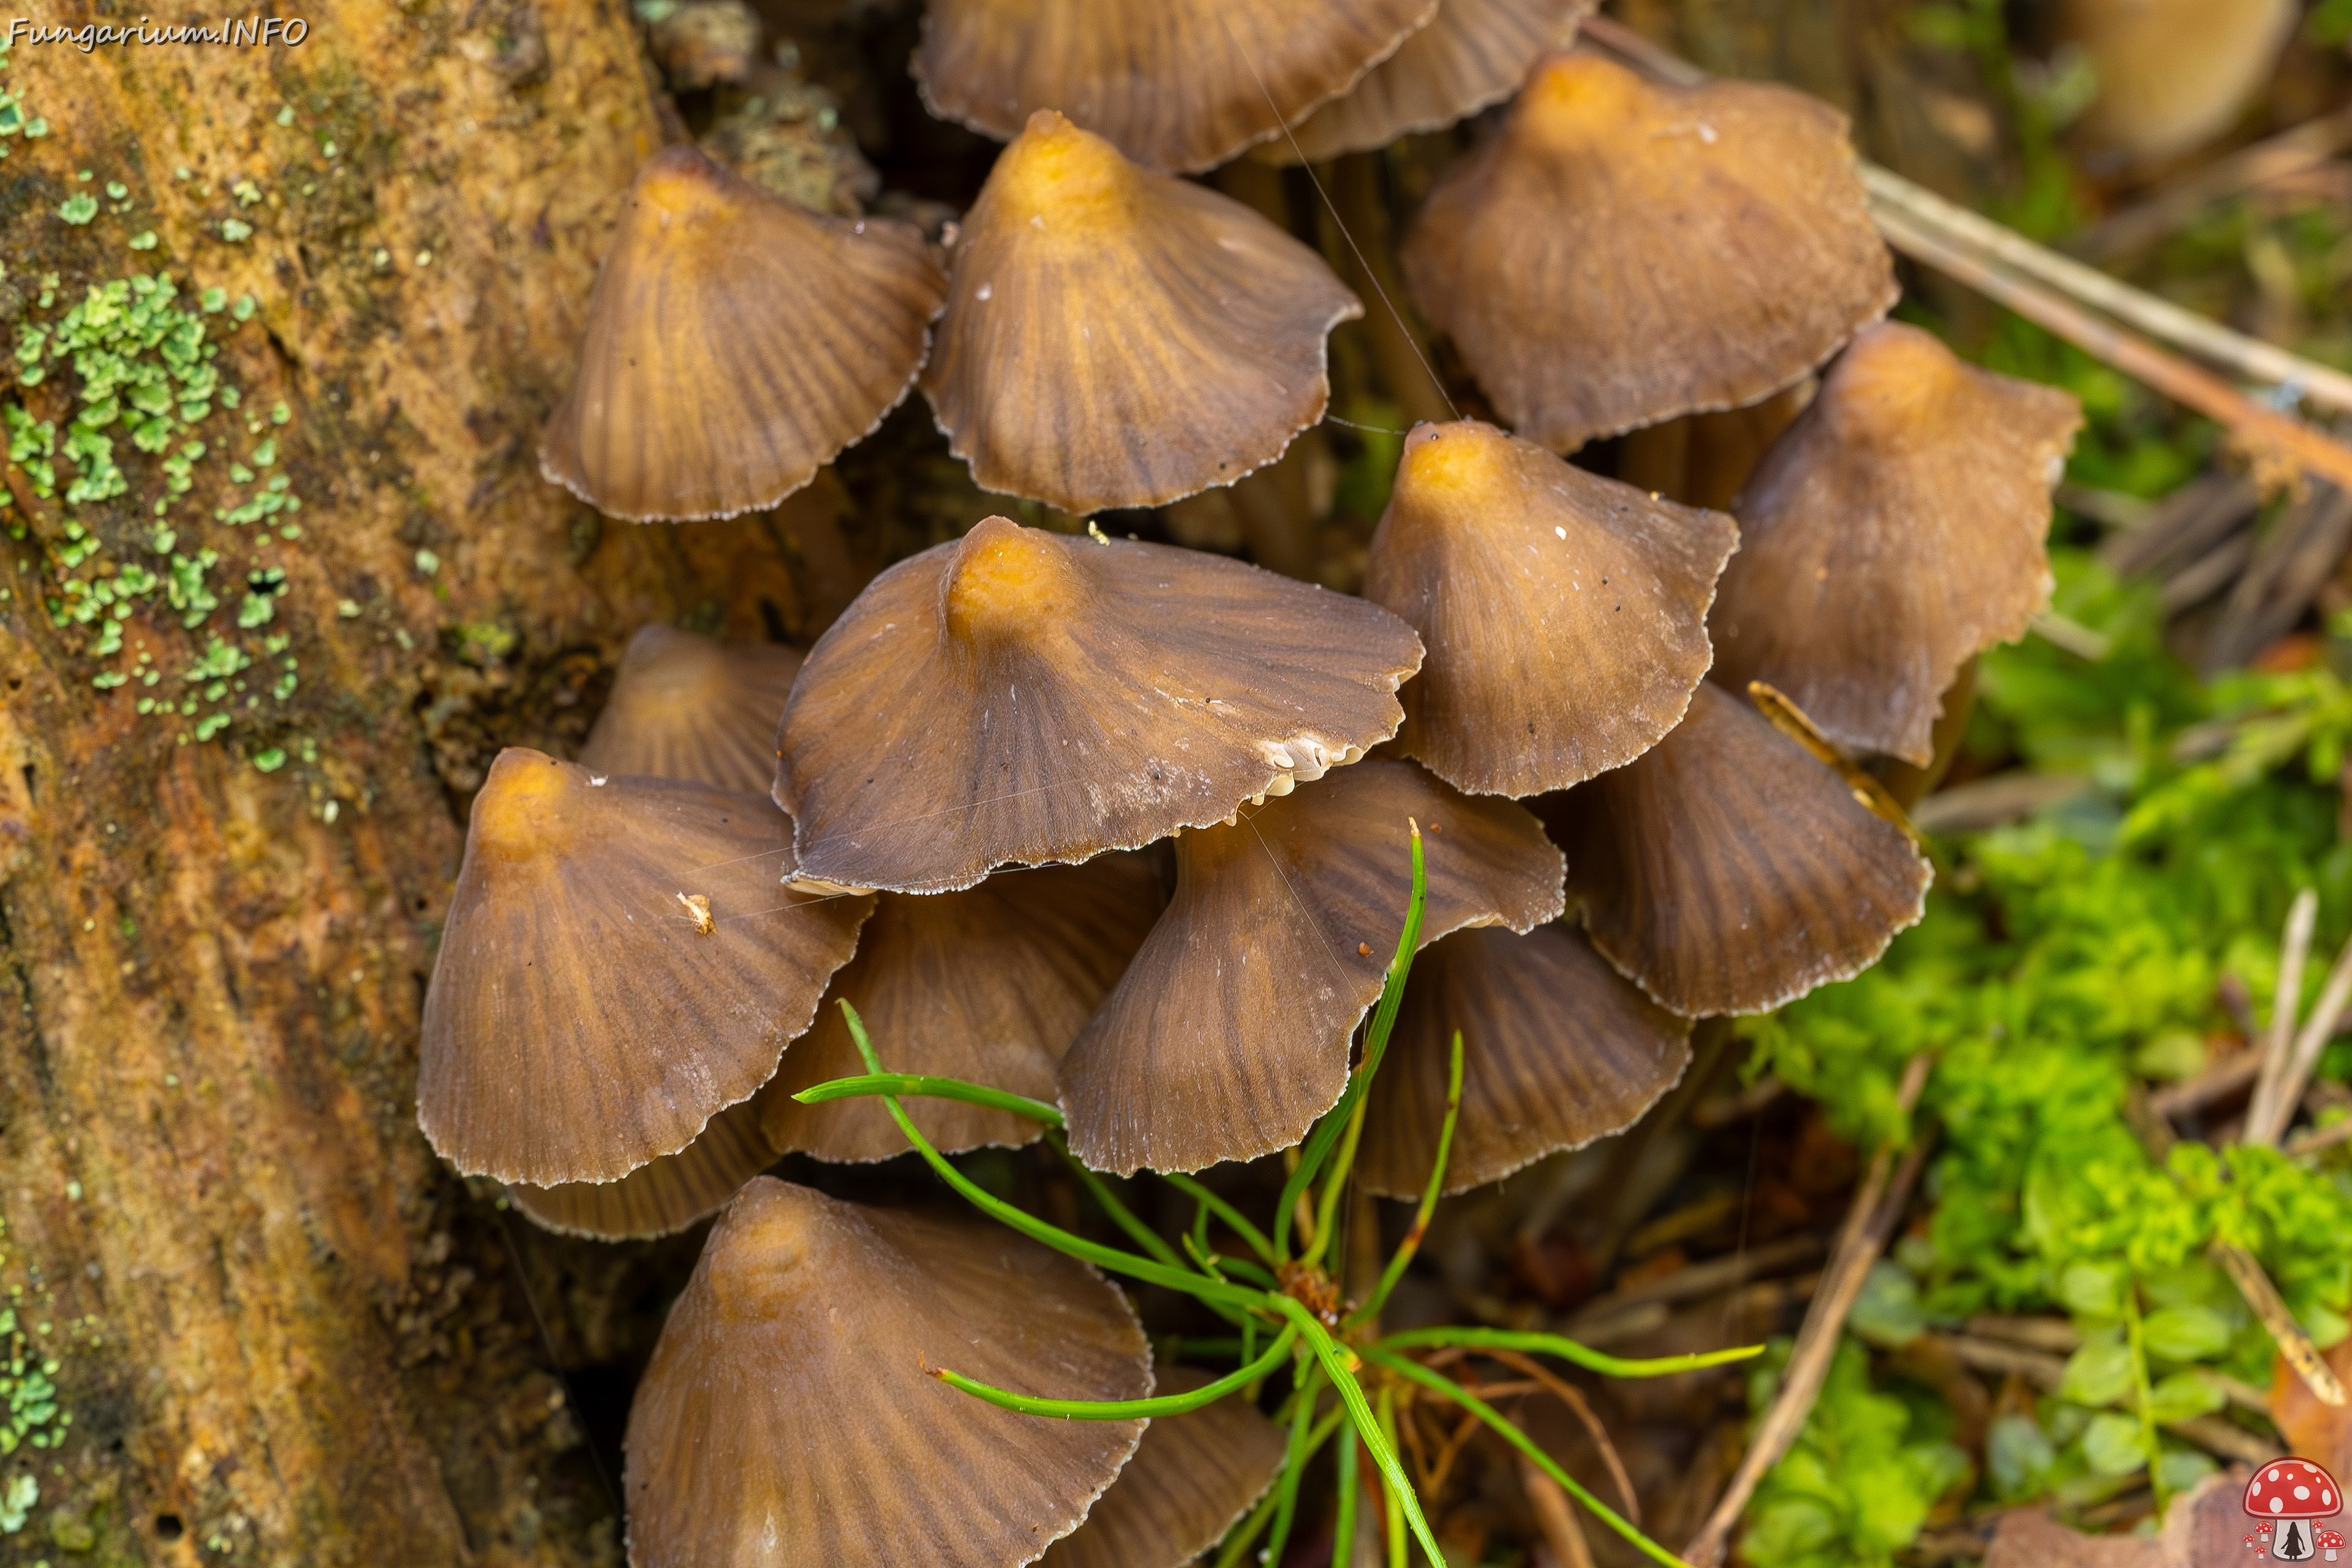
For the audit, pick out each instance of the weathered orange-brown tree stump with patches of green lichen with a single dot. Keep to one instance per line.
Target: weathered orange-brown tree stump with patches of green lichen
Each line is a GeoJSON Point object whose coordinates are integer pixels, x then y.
{"type": "Point", "coordinates": [281, 1329]}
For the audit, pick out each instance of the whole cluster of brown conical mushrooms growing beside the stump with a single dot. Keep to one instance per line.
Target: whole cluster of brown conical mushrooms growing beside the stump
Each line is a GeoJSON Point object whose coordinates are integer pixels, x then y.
{"type": "Point", "coordinates": [1125, 826]}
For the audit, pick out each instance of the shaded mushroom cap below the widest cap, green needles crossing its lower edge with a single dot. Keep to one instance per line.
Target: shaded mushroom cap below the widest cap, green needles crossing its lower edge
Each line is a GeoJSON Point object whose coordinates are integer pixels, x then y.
{"type": "Point", "coordinates": [987, 986]}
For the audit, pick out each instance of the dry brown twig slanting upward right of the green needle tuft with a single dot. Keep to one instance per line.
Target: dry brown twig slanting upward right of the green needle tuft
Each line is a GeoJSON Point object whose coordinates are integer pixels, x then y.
{"type": "Point", "coordinates": [1873, 1219]}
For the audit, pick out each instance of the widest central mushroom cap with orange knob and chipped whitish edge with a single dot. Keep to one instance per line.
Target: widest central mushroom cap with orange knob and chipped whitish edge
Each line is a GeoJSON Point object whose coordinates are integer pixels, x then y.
{"type": "Point", "coordinates": [1017, 697]}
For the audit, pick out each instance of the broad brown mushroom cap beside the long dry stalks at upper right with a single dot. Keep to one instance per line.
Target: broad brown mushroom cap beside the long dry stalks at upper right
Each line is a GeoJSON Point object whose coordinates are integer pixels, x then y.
{"type": "Point", "coordinates": [1626, 253]}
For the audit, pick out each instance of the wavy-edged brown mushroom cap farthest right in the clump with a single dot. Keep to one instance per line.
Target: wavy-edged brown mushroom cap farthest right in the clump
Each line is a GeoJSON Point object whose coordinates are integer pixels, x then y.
{"type": "Point", "coordinates": [1892, 535]}
